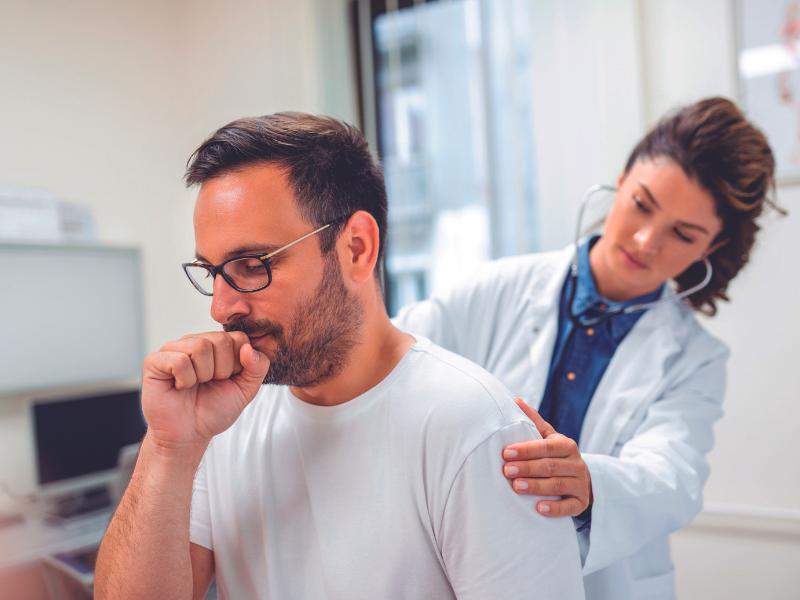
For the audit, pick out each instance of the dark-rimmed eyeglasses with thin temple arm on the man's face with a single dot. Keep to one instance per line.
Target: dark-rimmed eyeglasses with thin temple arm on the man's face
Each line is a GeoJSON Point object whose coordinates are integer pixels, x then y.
{"type": "Point", "coordinates": [247, 273]}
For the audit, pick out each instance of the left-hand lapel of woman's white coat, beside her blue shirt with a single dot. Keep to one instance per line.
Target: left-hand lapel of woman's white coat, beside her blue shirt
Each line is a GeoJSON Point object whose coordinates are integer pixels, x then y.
{"type": "Point", "coordinates": [543, 321]}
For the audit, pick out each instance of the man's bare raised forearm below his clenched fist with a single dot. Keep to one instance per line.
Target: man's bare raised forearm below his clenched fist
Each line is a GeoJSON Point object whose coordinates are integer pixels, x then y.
{"type": "Point", "coordinates": [145, 552]}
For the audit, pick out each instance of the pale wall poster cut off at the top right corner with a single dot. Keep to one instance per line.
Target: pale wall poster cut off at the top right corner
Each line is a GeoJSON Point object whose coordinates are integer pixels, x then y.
{"type": "Point", "coordinates": [769, 76]}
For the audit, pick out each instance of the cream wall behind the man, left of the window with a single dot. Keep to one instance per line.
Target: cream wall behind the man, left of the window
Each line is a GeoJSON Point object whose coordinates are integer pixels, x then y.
{"type": "Point", "coordinates": [102, 102]}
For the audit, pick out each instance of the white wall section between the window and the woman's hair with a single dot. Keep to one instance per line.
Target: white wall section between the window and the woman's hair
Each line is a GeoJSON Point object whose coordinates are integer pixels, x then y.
{"type": "Point", "coordinates": [587, 104]}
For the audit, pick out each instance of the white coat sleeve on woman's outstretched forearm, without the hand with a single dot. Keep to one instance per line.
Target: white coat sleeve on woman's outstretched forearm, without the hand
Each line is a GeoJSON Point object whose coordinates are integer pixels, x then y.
{"type": "Point", "coordinates": [655, 485]}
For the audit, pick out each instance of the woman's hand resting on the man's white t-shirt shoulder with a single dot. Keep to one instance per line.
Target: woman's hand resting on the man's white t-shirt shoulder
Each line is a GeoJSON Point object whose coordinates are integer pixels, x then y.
{"type": "Point", "coordinates": [551, 466]}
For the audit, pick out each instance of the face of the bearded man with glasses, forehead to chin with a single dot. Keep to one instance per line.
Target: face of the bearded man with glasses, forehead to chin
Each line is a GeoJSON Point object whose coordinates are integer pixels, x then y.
{"type": "Point", "coordinates": [306, 321]}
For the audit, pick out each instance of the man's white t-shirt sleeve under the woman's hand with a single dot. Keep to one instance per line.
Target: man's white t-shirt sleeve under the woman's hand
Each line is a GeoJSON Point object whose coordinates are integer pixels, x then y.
{"type": "Point", "coordinates": [493, 542]}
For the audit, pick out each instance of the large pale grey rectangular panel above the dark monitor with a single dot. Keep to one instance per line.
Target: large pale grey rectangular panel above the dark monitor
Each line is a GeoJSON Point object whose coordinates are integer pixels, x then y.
{"type": "Point", "coordinates": [82, 303]}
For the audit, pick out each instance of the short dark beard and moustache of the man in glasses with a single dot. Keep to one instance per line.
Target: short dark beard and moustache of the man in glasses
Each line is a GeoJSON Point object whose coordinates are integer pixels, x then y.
{"type": "Point", "coordinates": [322, 332]}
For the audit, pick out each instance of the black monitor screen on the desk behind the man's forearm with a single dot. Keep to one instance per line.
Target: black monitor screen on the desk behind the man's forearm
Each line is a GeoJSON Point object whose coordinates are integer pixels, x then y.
{"type": "Point", "coordinates": [76, 437]}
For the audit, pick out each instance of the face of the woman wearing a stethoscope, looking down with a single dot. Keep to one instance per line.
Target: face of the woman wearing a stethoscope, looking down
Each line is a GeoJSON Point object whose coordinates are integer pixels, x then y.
{"type": "Point", "coordinates": [661, 222]}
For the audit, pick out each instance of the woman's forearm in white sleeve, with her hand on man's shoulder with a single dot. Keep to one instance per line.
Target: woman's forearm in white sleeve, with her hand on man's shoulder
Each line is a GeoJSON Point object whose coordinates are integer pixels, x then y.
{"type": "Point", "coordinates": [652, 488]}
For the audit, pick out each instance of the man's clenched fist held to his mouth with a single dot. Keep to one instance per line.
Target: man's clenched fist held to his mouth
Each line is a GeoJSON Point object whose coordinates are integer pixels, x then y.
{"type": "Point", "coordinates": [197, 386]}
